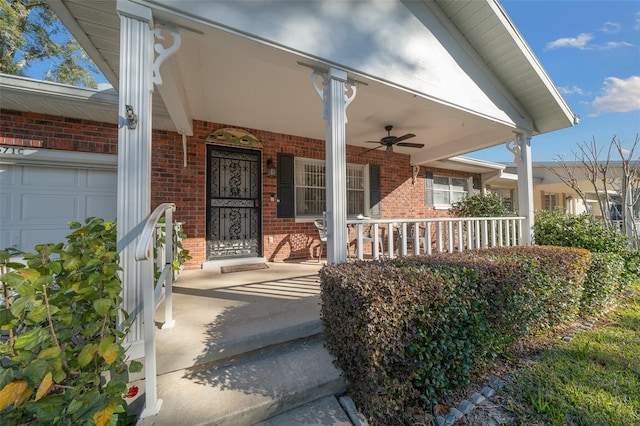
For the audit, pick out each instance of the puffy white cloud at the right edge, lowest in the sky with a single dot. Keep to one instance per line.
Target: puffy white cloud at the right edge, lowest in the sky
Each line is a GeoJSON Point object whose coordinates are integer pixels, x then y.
{"type": "Point", "coordinates": [619, 95]}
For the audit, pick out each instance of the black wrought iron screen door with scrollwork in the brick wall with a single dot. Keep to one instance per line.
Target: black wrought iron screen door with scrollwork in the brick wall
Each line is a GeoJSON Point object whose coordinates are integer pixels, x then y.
{"type": "Point", "coordinates": [234, 214]}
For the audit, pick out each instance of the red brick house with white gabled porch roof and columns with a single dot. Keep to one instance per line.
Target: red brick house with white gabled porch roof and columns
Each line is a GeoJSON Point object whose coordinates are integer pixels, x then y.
{"type": "Point", "coordinates": [217, 98]}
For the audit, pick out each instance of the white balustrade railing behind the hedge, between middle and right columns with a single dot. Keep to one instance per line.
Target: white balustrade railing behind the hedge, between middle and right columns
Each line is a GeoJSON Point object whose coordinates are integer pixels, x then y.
{"type": "Point", "coordinates": [425, 236]}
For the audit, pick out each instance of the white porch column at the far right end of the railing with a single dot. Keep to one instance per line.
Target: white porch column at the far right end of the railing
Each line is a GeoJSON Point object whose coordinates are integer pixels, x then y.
{"type": "Point", "coordinates": [525, 184]}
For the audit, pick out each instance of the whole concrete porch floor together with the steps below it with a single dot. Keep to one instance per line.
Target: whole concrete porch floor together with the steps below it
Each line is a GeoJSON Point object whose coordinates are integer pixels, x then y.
{"type": "Point", "coordinates": [247, 347]}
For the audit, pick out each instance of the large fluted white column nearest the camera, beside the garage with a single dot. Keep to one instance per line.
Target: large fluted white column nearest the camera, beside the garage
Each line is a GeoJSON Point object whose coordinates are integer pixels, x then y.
{"type": "Point", "coordinates": [134, 158]}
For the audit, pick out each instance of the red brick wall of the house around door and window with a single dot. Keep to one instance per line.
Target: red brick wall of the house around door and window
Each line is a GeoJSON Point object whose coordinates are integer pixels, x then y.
{"type": "Point", "coordinates": [186, 186]}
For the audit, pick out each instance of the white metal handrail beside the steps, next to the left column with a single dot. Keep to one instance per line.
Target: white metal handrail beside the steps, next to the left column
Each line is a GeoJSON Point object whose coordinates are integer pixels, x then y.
{"type": "Point", "coordinates": [152, 295]}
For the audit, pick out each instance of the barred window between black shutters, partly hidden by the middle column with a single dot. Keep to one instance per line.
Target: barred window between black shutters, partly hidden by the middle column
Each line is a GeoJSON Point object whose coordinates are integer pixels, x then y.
{"type": "Point", "coordinates": [311, 191]}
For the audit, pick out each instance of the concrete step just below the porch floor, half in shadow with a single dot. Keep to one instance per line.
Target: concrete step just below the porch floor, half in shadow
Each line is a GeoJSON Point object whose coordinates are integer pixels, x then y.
{"type": "Point", "coordinates": [251, 388]}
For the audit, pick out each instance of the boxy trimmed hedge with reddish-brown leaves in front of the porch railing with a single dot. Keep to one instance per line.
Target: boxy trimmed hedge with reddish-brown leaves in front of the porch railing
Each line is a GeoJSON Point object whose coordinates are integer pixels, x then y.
{"type": "Point", "coordinates": [414, 327]}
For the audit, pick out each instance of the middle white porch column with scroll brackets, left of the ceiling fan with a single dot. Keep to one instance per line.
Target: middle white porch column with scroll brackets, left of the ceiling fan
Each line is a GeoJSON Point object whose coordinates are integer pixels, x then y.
{"type": "Point", "coordinates": [335, 99]}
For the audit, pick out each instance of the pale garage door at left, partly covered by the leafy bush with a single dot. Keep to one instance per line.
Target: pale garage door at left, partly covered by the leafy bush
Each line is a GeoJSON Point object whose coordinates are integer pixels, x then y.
{"type": "Point", "coordinates": [37, 201]}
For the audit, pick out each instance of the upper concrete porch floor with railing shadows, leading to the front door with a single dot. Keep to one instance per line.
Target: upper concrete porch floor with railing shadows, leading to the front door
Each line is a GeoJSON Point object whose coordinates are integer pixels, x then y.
{"type": "Point", "coordinates": [220, 315]}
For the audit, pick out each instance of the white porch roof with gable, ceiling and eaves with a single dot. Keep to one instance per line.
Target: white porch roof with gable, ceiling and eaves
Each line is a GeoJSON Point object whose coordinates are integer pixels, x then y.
{"type": "Point", "coordinates": [235, 68]}
